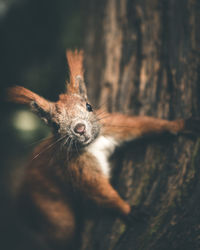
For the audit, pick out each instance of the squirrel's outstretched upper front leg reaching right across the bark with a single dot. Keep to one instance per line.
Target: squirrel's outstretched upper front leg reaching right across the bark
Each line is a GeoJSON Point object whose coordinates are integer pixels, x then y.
{"type": "Point", "coordinates": [127, 128]}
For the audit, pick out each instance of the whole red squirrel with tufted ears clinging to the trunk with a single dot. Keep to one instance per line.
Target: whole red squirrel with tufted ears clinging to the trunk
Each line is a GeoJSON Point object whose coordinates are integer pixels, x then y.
{"type": "Point", "coordinates": [71, 169]}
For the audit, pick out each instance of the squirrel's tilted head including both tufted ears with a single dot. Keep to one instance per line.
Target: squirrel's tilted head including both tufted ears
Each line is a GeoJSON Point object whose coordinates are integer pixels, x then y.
{"type": "Point", "coordinates": [71, 117]}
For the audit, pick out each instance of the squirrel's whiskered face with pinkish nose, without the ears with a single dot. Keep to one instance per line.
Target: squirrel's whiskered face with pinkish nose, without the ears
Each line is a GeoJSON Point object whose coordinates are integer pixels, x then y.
{"type": "Point", "coordinates": [74, 120]}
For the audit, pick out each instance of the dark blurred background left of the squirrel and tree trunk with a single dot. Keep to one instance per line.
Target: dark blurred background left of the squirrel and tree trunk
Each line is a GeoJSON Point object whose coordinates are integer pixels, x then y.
{"type": "Point", "coordinates": [34, 36]}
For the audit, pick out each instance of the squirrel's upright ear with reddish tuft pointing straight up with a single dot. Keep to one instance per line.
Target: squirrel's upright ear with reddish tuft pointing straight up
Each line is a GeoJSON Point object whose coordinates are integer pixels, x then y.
{"type": "Point", "coordinates": [75, 62]}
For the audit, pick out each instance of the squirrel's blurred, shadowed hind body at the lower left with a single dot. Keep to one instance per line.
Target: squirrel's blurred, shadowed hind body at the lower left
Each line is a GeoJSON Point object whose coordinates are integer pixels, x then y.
{"type": "Point", "coordinates": [44, 199]}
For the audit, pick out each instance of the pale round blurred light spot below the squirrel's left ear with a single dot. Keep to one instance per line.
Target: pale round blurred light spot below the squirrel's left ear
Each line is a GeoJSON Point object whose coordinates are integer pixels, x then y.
{"type": "Point", "coordinates": [25, 121]}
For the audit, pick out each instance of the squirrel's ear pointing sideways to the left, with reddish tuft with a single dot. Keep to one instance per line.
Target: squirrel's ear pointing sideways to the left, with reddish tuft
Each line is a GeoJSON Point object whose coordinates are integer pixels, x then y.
{"type": "Point", "coordinates": [38, 104]}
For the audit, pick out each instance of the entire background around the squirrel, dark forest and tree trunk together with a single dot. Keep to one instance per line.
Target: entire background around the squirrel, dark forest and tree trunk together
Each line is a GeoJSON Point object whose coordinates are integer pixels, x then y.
{"type": "Point", "coordinates": [142, 58]}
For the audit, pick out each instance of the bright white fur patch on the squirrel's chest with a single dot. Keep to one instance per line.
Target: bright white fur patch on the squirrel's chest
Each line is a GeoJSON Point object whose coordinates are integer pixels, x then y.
{"type": "Point", "coordinates": [101, 149]}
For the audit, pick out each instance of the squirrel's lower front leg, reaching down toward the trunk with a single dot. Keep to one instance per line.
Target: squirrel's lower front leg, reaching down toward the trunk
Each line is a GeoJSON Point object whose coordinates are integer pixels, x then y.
{"type": "Point", "coordinates": [93, 185]}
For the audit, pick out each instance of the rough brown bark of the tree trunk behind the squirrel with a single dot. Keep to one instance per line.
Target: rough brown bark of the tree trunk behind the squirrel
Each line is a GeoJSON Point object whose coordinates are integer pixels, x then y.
{"type": "Point", "coordinates": [144, 58]}
